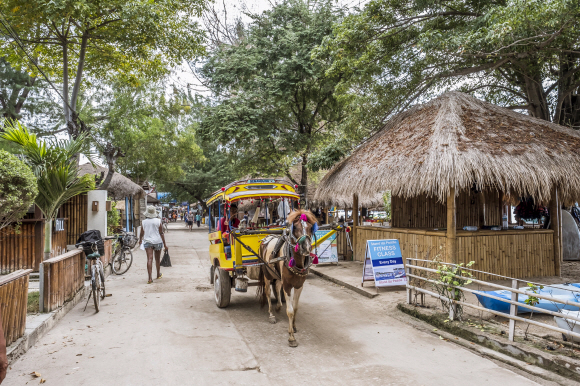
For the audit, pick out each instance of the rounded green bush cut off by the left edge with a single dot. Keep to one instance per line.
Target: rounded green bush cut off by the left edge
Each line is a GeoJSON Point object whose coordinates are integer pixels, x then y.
{"type": "Point", "coordinates": [17, 188]}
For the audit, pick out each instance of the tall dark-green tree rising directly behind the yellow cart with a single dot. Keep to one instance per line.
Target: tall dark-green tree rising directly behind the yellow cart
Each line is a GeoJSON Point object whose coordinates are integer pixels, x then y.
{"type": "Point", "coordinates": [273, 105]}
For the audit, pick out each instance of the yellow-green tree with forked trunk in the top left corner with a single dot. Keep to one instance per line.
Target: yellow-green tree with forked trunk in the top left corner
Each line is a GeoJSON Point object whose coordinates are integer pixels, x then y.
{"type": "Point", "coordinates": [71, 38]}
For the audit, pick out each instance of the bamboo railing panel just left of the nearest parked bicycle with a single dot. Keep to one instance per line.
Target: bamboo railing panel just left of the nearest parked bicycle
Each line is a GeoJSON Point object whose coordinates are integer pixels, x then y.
{"type": "Point", "coordinates": [61, 277]}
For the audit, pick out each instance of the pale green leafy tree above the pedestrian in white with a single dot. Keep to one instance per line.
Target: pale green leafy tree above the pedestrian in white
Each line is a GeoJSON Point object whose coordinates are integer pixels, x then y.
{"type": "Point", "coordinates": [154, 130]}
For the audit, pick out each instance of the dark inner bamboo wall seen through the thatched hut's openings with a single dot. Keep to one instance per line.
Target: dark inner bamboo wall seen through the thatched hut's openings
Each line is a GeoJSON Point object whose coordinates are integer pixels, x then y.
{"type": "Point", "coordinates": [426, 212]}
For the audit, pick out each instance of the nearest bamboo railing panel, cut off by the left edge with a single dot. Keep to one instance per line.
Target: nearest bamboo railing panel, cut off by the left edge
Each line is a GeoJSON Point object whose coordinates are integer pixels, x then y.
{"type": "Point", "coordinates": [14, 299]}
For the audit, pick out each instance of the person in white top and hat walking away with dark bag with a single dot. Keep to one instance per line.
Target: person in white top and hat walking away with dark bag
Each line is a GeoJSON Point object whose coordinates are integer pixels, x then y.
{"type": "Point", "coordinates": [154, 239]}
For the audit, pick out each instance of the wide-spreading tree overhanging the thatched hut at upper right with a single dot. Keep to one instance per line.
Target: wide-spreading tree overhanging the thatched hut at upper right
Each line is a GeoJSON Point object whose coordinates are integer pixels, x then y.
{"type": "Point", "coordinates": [522, 54]}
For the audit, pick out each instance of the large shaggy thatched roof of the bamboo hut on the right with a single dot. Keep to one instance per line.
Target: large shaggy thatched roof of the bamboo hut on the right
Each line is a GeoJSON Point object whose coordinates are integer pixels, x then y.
{"type": "Point", "coordinates": [457, 140]}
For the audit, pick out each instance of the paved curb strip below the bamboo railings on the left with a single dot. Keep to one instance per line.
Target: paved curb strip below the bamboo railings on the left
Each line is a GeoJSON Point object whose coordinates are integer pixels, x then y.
{"type": "Point", "coordinates": [34, 333]}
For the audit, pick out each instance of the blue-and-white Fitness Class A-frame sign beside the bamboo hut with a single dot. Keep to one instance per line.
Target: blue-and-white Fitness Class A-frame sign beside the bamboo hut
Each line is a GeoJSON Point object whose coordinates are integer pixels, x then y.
{"type": "Point", "coordinates": [387, 262]}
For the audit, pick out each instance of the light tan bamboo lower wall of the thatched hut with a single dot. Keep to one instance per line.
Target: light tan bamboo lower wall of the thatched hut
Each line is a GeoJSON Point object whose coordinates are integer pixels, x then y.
{"type": "Point", "coordinates": [516, 253]}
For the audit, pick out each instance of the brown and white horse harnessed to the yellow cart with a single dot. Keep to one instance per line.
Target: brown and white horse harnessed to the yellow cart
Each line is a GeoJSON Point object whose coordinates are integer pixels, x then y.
{"type": "Point", "coordinates": [289, 257]}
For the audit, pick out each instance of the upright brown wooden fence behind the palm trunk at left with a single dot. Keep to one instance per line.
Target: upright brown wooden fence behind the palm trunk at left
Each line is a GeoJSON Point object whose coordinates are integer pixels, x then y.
{"type": "Point", "coordinates": [24, 248]}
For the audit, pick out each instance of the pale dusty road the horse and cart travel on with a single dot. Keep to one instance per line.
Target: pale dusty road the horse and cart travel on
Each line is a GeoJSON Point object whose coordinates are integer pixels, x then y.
{"type": "Point", "coordinates": [171, 333]}
